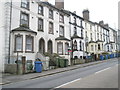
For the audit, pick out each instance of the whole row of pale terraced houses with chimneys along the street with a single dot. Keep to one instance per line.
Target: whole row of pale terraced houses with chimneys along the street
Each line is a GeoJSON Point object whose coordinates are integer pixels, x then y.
{"type": "Point", "coordinates": [33, 29]}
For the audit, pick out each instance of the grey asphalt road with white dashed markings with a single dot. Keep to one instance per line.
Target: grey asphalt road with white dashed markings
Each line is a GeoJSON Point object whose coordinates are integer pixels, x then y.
{"type": "Point", "coordinates": [103, 75]}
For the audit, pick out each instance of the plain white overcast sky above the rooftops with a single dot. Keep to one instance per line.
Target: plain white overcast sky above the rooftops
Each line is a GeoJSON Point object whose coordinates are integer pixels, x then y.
{"type": "Point", "coordinates": [106, 10]}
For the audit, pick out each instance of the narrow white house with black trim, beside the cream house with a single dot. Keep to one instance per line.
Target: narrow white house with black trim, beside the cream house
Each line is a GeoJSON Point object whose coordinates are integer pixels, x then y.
{"type": "Point", "coordinates": [77, 36]}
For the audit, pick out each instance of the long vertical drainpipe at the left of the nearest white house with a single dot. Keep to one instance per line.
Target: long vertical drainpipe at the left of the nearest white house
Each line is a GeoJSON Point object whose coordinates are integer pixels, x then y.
{"type": "Point", "coordinates": [10, 32]}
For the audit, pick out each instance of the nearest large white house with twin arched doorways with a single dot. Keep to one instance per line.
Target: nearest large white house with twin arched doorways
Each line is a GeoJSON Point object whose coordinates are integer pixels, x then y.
{"type": "Point", "coordinates": [35, 28]}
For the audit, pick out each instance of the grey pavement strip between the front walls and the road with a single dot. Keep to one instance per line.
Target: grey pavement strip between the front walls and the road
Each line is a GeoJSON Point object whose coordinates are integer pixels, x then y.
{"type": "Point", "coordinates": [9, 78]}
